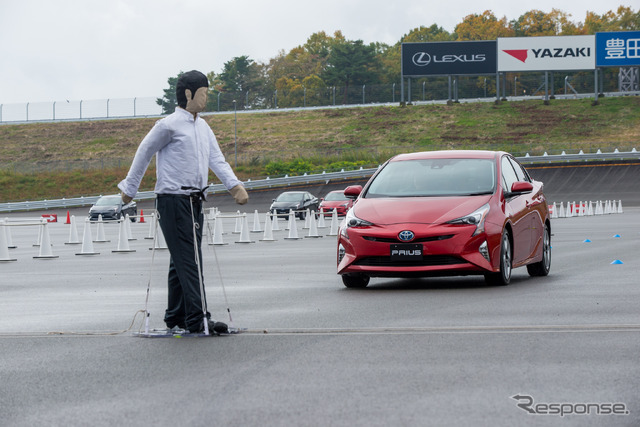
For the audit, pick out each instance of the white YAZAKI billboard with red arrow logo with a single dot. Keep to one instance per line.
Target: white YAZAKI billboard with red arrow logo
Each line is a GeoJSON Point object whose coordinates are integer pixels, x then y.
{"type": "Point", "coordinates": [547, 53]}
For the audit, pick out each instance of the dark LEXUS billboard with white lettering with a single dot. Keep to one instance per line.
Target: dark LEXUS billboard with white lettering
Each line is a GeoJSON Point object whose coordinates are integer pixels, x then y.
{"type": "Point", "coordinates": [448, 58]}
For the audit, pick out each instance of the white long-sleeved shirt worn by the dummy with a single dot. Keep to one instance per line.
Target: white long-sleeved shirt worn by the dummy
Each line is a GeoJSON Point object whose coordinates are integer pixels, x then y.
{"type": "Point", "coordinates": [186, 149]}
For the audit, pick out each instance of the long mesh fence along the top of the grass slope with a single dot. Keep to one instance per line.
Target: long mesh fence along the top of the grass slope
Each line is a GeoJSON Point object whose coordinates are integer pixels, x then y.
{"type": "Point", "coordinates": [425, 89]}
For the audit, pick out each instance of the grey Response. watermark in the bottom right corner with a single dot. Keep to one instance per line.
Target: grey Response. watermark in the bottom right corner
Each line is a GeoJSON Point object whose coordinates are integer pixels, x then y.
{"type": "Point", "coordinates": [562, 409]}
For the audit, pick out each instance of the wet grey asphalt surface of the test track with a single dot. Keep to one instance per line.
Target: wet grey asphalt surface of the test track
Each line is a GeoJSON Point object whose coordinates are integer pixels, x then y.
{"type": "Point", "coordinates": [438, 351]}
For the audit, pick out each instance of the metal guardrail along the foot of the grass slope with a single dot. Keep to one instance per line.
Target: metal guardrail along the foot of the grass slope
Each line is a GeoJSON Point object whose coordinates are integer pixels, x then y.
{"type": "Point", "coordinates": [326, 177]}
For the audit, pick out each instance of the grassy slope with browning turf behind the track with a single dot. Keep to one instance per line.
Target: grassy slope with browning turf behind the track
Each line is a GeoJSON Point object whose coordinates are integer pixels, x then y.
{"type": "Point", "coordinates": [369, 135]}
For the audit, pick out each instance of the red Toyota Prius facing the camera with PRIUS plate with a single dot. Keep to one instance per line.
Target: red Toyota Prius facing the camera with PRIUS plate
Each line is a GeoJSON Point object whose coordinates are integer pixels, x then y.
{"type": "Point", "coordinates": [446, 213]}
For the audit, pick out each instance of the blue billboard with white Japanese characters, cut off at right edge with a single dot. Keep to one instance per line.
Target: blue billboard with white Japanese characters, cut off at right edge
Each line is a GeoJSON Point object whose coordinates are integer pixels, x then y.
{"type": "Point", "coordinates": [618, 49]}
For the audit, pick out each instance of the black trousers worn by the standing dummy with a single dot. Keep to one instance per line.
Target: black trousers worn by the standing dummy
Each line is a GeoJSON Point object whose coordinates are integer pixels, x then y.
{"type": "Point", "coordinates": [184, 308]}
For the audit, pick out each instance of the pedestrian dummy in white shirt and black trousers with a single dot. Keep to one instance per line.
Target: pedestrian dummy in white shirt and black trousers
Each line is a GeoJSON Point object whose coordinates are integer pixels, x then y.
{"type": "Point", "coordinates": [185, 149]}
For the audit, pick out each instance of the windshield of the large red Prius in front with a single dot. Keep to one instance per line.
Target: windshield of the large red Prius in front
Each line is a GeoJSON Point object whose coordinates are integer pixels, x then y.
{"type": "Point", "coordinates": [434, 177]}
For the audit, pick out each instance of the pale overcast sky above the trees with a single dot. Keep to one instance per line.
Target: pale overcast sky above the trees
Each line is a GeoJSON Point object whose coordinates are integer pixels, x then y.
{"type": "Point", "coordinates": [93, 49]}
